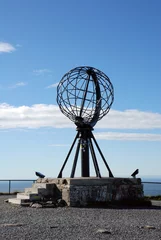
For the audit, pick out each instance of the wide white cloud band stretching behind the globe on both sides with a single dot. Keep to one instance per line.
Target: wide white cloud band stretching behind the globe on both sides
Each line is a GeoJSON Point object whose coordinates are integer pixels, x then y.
{"type": "Point", "coordinates": [43, 115]}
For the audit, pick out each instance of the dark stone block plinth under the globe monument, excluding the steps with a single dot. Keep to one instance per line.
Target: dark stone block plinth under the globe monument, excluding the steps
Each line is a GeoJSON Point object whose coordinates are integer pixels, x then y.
{"type": "Point", "coordinates": [87, 191]}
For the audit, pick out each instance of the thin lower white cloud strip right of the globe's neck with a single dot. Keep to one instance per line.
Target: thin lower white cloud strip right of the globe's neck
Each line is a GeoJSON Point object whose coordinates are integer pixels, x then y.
{"type": "Point", "coordinates": [128, 136]}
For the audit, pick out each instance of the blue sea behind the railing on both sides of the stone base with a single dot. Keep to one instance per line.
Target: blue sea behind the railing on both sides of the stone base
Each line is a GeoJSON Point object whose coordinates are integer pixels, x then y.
{"type": "Point", "coordinates": [150, 189]}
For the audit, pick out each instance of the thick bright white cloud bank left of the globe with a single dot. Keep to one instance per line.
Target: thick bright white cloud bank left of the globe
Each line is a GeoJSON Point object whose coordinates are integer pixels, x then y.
{"type": "Point", "coordinates": [35, 116]}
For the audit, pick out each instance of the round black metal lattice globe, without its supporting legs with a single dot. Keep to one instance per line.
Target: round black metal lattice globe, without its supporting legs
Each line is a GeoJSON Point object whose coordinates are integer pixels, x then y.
{"type": "Point", "coordinates": [85, 95]}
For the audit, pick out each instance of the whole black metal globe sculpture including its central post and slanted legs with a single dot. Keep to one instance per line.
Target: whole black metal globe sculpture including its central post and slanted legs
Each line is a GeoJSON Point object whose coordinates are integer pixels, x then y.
{"type": "Point", "coordinates": [85, 95]}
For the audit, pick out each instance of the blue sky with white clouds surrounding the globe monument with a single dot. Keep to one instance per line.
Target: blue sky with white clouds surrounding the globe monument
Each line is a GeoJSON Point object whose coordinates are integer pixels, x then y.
{"type": "Point", "coordinates": [42, 40]}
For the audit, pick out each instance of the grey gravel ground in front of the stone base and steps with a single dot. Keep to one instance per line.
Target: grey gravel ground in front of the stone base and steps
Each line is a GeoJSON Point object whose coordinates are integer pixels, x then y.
{"type": "Point", "coordinates": [25, 223]}
